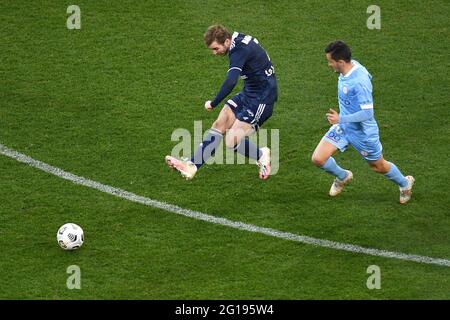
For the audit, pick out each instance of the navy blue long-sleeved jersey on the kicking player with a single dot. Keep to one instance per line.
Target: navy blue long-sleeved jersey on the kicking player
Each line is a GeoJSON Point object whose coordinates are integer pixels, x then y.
{"type": "Point", "coordinates": [251, 62]}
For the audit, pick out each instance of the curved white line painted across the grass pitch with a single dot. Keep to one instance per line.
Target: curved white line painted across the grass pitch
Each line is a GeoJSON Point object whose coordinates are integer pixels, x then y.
{"type": "Point", "coordinates": [220, 221]}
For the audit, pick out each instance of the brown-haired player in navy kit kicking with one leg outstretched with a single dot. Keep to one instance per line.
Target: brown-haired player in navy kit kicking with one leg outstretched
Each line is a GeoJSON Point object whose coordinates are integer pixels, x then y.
{"type": "Point", "coordinates": [244, 113]}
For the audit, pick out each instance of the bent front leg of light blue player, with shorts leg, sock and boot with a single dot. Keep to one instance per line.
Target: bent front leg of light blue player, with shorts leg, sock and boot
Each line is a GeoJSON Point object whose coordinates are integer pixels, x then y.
{"type": "Point", "coordinates": [333, 140]}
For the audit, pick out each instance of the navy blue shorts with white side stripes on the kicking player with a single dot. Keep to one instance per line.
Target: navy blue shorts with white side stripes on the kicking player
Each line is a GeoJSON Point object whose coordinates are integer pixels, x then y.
{"type": "Point", "coordinates": [251, 110]}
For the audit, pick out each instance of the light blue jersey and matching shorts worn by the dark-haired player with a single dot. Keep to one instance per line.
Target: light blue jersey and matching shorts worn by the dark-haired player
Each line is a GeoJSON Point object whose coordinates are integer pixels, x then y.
{"type": "Point", "coordinates": [356, 101]}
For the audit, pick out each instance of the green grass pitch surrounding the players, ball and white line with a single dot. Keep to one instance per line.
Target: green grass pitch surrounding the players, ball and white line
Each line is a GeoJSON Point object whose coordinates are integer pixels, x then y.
{"type": "Point", "coordinates": [102, 102]}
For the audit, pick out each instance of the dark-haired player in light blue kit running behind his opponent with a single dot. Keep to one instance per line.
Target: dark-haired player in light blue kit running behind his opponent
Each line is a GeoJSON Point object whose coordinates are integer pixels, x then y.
{"type": "Point", "coordinates": [354, 125]}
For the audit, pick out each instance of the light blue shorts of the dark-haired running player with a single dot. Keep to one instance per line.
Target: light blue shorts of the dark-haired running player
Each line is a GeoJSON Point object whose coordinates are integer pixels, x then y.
{"type": "Point", "coordinates": [370, 149]}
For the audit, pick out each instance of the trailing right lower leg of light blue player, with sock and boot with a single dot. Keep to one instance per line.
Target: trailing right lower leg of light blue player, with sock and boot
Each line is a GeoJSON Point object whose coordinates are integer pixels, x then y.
{"type": "Point", "coordinates": [390, 171]}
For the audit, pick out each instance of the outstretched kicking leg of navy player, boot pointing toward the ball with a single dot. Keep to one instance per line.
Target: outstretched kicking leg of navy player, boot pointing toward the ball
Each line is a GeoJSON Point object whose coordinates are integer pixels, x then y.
{"type": "Point", "coordinates": [188, 168]}
